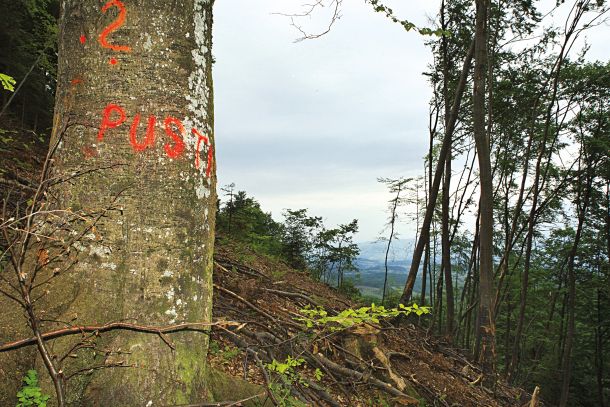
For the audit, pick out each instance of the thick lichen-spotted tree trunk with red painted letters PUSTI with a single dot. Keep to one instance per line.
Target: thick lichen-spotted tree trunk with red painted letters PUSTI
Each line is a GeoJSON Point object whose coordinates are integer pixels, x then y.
{"type": "Point", "coordinates": [135, 105]}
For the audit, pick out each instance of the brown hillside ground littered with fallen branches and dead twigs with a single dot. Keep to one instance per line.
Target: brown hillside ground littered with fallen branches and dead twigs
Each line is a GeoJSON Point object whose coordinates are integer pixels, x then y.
{"type": "Point", "coordinates": [368, 364]}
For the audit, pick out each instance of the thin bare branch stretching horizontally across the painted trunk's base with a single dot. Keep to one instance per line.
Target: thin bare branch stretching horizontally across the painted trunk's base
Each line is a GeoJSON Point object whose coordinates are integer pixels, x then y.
{"type": "Point", "coordinates": [75, 330]}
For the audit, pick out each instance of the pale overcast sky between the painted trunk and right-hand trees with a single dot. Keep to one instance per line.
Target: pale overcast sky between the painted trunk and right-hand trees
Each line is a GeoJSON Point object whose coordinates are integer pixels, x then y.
{"type": "Point", "coordinates": [313, 124]}
